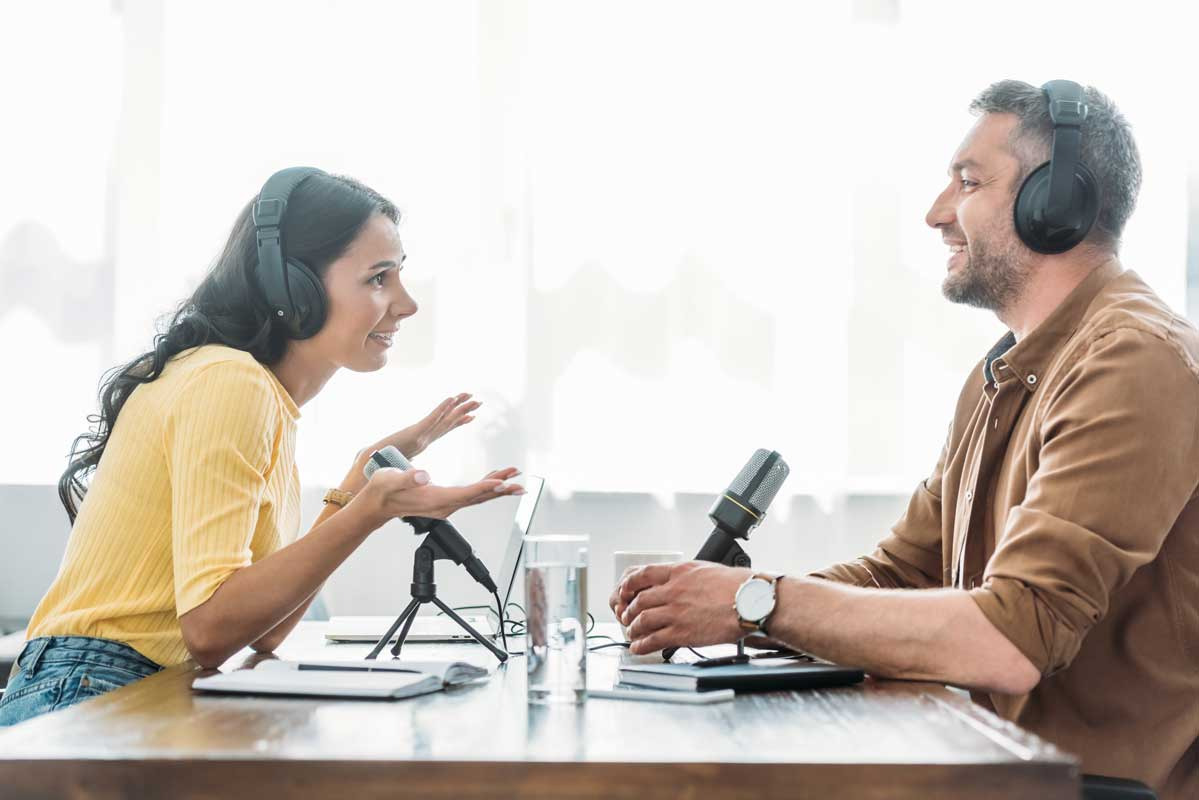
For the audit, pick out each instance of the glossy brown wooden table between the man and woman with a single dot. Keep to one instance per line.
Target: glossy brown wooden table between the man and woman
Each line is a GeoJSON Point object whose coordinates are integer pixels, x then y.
{"type": "Point", "coordinates": [883, 739]}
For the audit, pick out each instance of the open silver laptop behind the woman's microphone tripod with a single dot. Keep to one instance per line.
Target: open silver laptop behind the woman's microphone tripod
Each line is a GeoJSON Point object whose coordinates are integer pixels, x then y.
{"type": "Point", "coordinates": [443, 629]}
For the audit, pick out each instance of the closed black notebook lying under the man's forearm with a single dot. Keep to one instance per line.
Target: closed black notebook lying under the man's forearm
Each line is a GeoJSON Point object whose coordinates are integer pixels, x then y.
{"type": "Point", "coordinates": [757, 676]}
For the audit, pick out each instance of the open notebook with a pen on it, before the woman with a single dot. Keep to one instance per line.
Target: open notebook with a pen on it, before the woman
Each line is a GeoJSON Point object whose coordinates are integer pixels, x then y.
{"type": "Point", "coordinates": [364, 679]}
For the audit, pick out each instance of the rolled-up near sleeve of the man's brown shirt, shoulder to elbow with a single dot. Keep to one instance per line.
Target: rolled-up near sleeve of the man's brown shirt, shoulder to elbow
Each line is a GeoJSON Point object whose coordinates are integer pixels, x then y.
{"type": "Point", "coordinates": [1118, 462]}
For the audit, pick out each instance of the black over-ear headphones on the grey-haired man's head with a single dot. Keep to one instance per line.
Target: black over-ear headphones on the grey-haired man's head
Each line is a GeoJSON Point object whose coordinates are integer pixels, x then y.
{"type": "Point", "coordinates": [1059, 202]}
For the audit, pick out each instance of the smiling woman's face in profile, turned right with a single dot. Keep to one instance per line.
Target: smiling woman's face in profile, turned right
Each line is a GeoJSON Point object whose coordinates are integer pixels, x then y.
{"type": "Point", "coordinates": [366, 299]}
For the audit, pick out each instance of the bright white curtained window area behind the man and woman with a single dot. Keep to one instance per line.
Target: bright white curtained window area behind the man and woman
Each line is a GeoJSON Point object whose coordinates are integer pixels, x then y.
{"type": "Point", "coordinates": [653, 237]}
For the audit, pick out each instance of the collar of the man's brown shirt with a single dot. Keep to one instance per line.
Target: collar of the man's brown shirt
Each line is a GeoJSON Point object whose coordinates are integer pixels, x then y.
{"type": "Point", "coordinates": [1027, 359]}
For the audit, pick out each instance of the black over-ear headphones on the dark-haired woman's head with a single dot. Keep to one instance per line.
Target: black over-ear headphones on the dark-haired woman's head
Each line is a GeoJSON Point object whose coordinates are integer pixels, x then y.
{"type": "Point", "coordinates": [294, 293]}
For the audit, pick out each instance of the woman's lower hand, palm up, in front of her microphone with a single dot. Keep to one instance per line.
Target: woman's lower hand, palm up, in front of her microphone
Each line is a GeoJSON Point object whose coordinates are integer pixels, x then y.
{"type": "Point", "coordinates": [393, 494]}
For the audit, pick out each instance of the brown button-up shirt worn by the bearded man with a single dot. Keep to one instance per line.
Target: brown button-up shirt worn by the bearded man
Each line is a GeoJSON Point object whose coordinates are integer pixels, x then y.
{"type": "Point", "coordinates": [1065, 502]}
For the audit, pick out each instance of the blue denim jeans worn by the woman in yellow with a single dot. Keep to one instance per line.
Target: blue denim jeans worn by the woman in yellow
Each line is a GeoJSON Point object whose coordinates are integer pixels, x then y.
{"type": "Point", "coordinates": [55, 672]}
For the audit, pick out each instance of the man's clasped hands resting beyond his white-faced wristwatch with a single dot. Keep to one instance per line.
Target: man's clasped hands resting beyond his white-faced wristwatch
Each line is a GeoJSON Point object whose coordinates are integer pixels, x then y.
{"type": "Point", "coordinates": [679, 605]}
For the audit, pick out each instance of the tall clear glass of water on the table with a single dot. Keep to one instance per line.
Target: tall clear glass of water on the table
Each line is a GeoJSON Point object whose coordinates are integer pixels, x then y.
{"type": "Point", "coordinates": [557, 616]}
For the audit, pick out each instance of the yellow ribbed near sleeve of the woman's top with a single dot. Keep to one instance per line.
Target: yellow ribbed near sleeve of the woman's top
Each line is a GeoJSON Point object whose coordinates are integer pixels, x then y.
{"type": "Point", "coordinates": [220, 438]}
